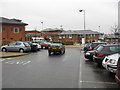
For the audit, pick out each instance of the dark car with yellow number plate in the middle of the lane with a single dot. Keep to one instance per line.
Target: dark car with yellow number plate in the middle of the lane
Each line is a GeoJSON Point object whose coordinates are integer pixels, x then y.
{"type": "Point", "coordinates": [56, 48]}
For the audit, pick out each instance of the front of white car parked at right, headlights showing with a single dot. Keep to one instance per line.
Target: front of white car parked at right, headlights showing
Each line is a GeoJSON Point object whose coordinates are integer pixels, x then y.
{"type": "Point", "coordinates": [110, 62]}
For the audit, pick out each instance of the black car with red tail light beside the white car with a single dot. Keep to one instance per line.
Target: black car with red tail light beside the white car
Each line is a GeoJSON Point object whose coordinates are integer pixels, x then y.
{"type": "Point", "coordinates": [105, 50]}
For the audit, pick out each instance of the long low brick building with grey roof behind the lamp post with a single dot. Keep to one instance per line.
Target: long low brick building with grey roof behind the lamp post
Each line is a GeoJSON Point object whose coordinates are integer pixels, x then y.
{"type": "Point", "coordinates": [77, 35]}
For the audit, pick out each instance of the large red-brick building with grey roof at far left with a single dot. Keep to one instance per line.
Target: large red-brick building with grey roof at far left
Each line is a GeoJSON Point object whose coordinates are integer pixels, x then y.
{"type": "Point", "coordinates": [12, 29]}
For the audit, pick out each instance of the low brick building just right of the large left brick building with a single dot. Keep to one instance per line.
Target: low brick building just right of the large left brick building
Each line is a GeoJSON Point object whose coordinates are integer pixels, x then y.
{"type": "Point", "coordinates": [33, 33]}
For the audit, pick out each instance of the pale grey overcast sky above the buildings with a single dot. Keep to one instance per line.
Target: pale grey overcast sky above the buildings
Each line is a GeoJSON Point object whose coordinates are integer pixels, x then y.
{"type": "Point", "coordinates": [54, 13]}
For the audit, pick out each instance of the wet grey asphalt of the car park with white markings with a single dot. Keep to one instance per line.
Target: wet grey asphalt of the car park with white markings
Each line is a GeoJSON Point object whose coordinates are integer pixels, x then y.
{"type": "Point", "coordinates": [70, 70]}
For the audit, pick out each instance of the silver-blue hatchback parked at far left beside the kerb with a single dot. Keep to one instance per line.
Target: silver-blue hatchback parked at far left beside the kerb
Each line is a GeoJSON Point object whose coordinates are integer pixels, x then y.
{"type": "Point", "coordinates": [16, 46]}
